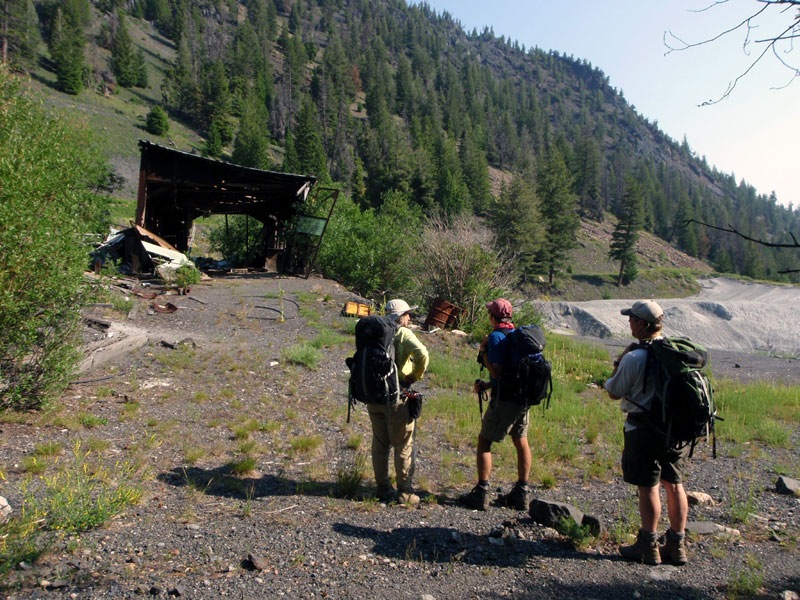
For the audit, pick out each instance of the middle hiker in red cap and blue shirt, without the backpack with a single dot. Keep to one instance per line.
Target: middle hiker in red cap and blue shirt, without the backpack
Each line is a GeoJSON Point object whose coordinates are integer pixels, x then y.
{"type": "Point", "coordinates": [502, 417]}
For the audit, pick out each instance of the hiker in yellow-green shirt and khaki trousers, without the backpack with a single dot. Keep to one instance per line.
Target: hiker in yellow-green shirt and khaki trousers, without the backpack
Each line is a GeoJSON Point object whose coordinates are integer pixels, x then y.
{"type": "Point", "coordinates": [397, 431]}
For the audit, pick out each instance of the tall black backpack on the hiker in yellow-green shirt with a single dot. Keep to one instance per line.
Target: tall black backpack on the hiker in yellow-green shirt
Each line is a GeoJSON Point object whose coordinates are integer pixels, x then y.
{"type": "Point", "coordinates": [373, 374]}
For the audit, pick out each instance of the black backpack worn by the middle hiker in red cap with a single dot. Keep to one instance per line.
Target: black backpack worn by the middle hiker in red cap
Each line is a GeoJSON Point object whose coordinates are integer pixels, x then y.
{"type": "Point", "coordinates": [531, 381]}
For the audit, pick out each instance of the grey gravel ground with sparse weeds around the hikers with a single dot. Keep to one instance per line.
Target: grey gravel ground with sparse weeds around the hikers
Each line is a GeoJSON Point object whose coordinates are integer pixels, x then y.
{"type": "Point", "coordinates": [202, 532]}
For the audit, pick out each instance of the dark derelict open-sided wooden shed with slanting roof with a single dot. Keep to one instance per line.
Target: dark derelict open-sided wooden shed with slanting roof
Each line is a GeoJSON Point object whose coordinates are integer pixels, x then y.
{"type": "Point", "coordinates": [290, 211]}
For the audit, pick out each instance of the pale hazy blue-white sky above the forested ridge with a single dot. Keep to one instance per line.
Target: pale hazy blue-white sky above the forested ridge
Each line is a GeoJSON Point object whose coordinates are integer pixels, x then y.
{"type": "Point", "coordinates": [754, 133]}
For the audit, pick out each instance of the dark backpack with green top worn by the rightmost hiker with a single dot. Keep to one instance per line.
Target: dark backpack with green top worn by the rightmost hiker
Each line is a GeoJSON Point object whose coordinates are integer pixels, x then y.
{"type": "Point", "coordinates": [683, 409]}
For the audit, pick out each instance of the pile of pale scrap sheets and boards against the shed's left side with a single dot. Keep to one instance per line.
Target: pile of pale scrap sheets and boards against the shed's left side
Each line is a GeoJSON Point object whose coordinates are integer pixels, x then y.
{"type": "Point", "coordinates": [139, 252]}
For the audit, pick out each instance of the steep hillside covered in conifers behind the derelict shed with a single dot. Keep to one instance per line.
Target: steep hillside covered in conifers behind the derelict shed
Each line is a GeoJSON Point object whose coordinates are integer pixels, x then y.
{"type": "Point", "coordinates": [398, 104]}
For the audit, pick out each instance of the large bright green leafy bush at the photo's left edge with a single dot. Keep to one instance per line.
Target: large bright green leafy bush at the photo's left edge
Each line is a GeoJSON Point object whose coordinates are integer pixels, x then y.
{"type": "Point", "coordinates": [48, 166]}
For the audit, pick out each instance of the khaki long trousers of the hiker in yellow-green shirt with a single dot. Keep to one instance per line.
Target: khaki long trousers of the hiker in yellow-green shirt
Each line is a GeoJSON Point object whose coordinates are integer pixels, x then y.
{"type": "Point", "coordinates": [398, 434]}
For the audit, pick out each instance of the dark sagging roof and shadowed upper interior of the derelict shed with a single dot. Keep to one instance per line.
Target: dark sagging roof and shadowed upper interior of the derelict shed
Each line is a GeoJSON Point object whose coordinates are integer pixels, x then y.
{"type": "Point", "coordinates": [177, 187]}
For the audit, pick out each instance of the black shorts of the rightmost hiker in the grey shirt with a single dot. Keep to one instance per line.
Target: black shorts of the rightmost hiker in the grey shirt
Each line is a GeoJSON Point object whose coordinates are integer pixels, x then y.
{"type": "Point", "coordinates": [646, 460]}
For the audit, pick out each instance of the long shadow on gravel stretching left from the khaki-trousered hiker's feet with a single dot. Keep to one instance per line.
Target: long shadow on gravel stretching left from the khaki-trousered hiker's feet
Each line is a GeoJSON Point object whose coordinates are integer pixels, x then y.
{"type": "Point", "coordinates": [223, 482]}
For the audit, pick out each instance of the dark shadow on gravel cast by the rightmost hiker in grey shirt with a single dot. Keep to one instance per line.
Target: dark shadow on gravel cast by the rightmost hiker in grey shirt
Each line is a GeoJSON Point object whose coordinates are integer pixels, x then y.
{"type": "Point", "coordinates": [445, 545]}
